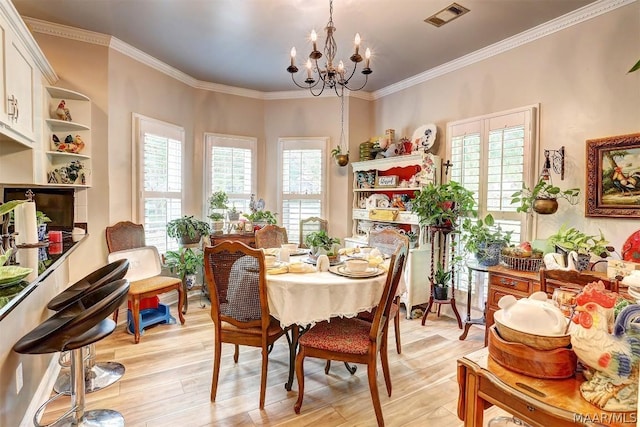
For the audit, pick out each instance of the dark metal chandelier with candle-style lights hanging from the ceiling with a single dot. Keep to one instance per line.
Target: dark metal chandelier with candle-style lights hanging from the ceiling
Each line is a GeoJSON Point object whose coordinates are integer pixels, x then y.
{"type": "Point", "coordinates": [331, 76]}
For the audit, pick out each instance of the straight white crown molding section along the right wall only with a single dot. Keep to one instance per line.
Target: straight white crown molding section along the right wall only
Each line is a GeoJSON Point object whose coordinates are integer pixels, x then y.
{"type": "Point", "coordinates": [580, 15]}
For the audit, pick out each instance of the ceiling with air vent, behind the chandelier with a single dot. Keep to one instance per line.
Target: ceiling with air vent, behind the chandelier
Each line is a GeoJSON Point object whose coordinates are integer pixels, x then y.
{"type": "Point", "coordinates": [246, 43]}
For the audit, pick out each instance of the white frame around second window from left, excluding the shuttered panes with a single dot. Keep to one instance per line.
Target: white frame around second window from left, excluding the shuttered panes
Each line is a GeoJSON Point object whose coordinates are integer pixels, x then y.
{"type": "Point", "coordinates": [232, 141]}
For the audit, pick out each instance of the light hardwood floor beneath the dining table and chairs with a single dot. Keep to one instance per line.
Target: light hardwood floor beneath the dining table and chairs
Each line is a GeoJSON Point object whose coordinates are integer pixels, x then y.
{"type": "Point", "coordinates": [168, 380]}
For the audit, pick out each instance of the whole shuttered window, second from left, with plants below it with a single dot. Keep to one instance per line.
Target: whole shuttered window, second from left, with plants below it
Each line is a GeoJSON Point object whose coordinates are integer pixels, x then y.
{"type": "Point", "coordinates": [230, 165]}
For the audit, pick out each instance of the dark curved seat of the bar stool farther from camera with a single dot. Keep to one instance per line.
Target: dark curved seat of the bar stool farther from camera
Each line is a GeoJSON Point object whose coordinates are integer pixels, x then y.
{"type": "Point", "coordinates": [109, 273]}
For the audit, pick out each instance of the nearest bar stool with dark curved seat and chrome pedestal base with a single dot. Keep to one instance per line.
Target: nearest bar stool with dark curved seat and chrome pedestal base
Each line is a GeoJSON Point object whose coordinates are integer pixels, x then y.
{"type": "Point", "coordinates": [75, 326]}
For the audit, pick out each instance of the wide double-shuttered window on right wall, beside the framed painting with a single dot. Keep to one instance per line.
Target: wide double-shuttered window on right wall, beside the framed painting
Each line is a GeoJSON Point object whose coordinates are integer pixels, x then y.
{"type": "Point", "coordinates": [492, 156]}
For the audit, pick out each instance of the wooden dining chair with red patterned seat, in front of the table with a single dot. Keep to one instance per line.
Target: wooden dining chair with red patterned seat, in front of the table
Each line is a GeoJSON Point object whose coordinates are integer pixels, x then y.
{"type": "Point", "coordinates": [355, 340]}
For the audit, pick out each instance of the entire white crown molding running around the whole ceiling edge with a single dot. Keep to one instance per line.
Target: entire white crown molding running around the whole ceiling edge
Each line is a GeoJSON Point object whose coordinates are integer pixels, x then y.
{"type": "Point", "coordinates": [583, 14]}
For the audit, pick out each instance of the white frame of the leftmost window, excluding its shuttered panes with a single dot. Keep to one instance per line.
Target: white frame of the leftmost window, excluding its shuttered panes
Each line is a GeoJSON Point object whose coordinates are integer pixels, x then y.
{"type": "Point", "coordinates": [141, 125]}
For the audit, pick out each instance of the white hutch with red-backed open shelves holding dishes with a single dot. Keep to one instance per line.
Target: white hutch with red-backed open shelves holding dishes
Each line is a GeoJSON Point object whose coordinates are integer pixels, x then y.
{"type": "Point", "coordinates": [383, 190]}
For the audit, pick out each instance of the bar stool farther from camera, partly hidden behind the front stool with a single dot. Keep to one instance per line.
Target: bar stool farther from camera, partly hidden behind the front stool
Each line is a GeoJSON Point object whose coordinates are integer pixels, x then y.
{"type": "Point", "coordinates": [98, 375]}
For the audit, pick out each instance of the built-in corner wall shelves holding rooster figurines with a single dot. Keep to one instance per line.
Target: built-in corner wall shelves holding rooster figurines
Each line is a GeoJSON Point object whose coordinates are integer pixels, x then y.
{"type": "Point", "coordinates": [78, 129]}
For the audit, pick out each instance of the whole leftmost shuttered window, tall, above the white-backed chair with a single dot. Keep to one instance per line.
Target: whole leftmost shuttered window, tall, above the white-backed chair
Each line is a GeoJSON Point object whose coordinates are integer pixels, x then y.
{"type": "Point", "coordinates": [159, 178]}
